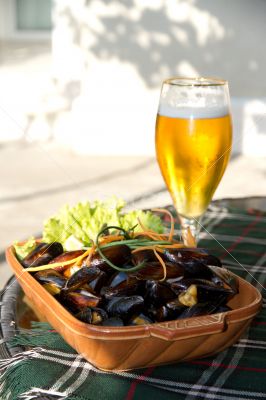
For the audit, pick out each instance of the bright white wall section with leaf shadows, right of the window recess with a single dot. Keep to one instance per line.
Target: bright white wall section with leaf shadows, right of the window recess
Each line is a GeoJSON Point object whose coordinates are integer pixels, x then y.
{"type": "Point", "coordinates": [117, 53]}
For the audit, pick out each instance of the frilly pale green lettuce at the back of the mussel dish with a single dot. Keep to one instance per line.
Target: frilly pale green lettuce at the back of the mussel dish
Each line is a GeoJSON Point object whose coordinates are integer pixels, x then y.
{"type": "Point", "coordinates": [82, 222]}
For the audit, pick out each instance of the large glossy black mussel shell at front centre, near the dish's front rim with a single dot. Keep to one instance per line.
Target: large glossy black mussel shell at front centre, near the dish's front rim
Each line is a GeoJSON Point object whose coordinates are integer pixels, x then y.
{"type": "Point", "coordinates": [125, 307]}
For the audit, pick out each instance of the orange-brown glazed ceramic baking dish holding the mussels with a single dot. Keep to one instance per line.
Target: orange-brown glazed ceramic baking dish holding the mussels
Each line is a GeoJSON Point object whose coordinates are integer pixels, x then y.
{"type": "Point", "coordinates": [123, 348]}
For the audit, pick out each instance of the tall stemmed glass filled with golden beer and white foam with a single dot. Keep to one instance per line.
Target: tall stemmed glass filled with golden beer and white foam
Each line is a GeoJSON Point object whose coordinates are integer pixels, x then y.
{"type": "Point", "coordinates": [193, 144]}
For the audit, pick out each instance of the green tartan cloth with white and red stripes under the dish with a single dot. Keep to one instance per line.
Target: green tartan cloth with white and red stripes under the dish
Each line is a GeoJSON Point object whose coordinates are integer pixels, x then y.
{"type": "Point", "coordinates": [51, 369]}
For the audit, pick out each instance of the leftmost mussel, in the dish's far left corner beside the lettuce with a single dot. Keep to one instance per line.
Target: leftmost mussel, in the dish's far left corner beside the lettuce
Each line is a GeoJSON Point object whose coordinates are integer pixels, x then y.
{"type": "Point", "coordinates": [42, 254]}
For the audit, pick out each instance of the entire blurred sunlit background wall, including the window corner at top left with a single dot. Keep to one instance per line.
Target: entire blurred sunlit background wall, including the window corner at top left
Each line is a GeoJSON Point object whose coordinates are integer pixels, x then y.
{"type": "Point", "coordinates": [86, 75]}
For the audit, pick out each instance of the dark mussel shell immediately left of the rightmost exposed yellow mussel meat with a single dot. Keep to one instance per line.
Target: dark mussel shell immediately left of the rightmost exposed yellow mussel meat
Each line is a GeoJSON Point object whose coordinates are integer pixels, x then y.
{"type": "Point", "coordinates": [158, 293]}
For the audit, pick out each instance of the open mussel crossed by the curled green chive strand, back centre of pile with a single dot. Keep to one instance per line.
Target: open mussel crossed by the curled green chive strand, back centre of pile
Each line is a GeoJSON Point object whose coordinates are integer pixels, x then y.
{"type": "Point", "coordinates": [119, 255]}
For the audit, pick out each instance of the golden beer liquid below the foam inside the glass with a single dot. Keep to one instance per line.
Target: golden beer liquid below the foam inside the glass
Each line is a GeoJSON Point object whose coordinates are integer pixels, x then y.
{"type": "Point", "coordinates": [193, 154]}
